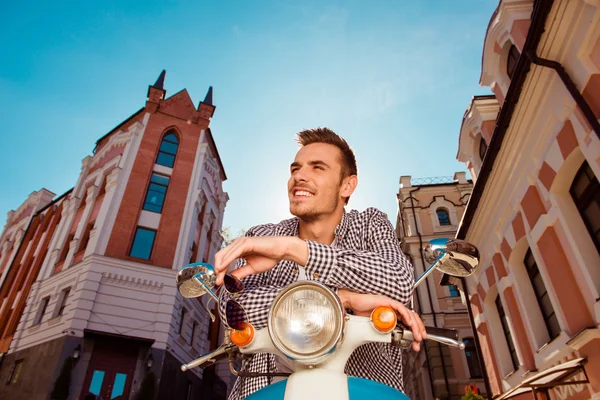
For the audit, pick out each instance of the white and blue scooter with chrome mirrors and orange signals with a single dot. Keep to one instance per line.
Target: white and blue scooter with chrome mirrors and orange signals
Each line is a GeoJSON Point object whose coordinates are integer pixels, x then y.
{"type": "Point", "coordinates": [310, 332]}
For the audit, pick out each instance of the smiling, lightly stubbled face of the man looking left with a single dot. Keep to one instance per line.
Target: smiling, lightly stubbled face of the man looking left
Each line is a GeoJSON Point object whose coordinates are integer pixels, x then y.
{"type": "Point", "coordinates": [315, 181]}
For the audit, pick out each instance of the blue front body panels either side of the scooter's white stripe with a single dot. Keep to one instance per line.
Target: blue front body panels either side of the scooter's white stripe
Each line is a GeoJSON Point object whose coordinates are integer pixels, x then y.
{"type": "Point", "coordinates": [359, 389]}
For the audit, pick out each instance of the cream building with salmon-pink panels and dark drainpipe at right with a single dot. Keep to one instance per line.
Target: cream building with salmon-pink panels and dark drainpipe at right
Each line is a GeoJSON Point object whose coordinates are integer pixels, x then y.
{"type": "Point", "coordinates": [533, 149]}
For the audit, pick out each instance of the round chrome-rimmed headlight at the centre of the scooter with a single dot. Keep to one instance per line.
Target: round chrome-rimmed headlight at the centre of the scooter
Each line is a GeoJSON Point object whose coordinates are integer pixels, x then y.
{"type": "Point", "coordinates": [306, 321]}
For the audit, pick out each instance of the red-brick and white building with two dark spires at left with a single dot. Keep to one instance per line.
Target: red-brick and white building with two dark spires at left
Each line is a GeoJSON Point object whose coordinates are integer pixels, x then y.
{"type": "Point", "coordinates": [88, 302]}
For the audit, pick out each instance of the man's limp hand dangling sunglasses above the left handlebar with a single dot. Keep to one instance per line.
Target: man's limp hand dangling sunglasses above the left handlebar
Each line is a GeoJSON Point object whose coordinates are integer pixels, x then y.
{"type": "Point", "coordinates": [261, 254]}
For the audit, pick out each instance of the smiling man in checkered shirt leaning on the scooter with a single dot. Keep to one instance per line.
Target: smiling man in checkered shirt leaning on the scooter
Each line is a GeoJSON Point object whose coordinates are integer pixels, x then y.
{"type": "Point", "coordinates": [356, 253]}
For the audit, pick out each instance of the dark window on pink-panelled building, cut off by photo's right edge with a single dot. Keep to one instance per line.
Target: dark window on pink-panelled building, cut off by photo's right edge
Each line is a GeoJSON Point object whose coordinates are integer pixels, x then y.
{"type": "Point", "coordinates": [585, 191]}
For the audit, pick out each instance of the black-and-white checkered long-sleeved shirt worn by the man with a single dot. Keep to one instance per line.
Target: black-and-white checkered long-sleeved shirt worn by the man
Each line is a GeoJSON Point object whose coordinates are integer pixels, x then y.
{"type": "Point", "coordinates": [365, 257]}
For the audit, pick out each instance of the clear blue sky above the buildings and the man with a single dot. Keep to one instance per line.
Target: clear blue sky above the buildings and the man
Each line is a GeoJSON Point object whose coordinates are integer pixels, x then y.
{"type": "Point", "coordinates": [392, 77]}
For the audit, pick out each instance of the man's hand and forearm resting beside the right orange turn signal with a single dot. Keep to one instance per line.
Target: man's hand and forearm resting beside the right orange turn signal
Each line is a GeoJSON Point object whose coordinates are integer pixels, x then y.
{"type": "Point", "coordinates": [364, 304]}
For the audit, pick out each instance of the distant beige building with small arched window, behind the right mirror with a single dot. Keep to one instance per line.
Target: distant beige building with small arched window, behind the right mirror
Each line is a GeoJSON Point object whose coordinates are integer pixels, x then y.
{"type": "Point", "coordinates": [428, 209]}
